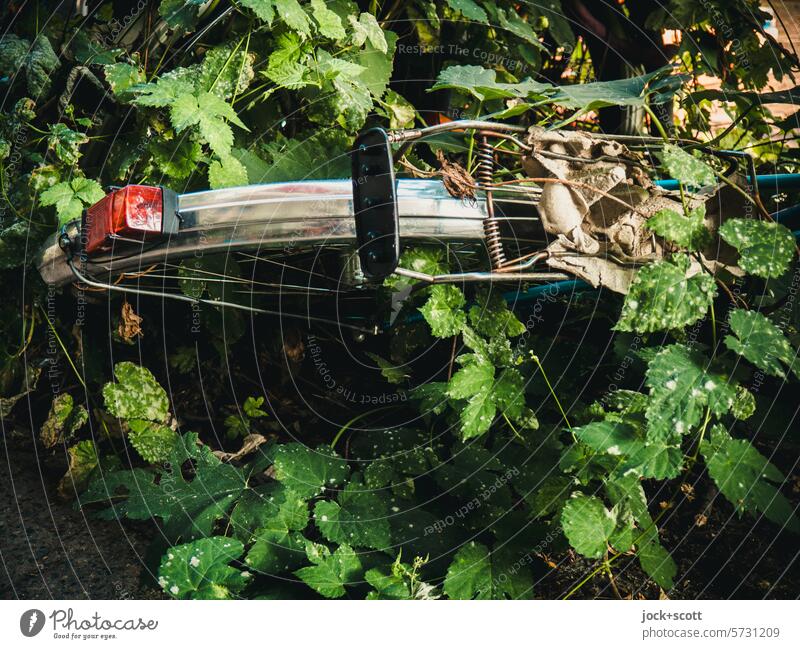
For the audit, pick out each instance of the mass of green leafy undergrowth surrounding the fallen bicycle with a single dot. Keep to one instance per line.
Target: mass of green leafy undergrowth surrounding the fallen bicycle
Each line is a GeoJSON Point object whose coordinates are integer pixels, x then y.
{"type": "Point", "coordinates": [500, 439]}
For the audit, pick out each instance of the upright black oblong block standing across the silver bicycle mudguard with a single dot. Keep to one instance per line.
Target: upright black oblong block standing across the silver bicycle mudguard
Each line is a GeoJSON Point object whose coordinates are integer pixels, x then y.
{"type": "Point", "coordinates": [375, 204]}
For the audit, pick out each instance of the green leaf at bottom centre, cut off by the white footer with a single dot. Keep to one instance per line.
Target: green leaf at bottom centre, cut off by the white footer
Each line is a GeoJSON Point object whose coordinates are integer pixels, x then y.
{"type": "Point", "coordinates": [476, 573]}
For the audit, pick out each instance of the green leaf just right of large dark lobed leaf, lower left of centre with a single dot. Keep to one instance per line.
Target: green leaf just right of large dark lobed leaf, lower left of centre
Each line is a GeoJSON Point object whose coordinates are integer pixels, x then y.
{"type": "Point", "coordinates": [309, 472]}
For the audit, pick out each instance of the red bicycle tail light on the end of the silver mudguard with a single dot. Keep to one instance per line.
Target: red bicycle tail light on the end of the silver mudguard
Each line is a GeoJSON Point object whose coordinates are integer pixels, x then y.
{"type": "Point", "coordinates": [133, 212]}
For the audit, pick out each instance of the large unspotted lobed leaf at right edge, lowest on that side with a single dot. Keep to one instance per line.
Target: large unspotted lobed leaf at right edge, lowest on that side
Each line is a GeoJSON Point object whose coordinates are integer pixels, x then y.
{"type": "Point", "coordinates": [745, 478]}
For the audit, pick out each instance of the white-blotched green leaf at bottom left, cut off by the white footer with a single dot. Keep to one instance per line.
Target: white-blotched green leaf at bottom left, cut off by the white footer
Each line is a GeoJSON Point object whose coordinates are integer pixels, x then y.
{"type": "Point", "coordinates": [200, 570]}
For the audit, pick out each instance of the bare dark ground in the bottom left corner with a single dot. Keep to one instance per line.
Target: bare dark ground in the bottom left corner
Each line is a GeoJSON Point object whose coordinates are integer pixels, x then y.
{"type": "Point", "coordinates": [50, 550]}
